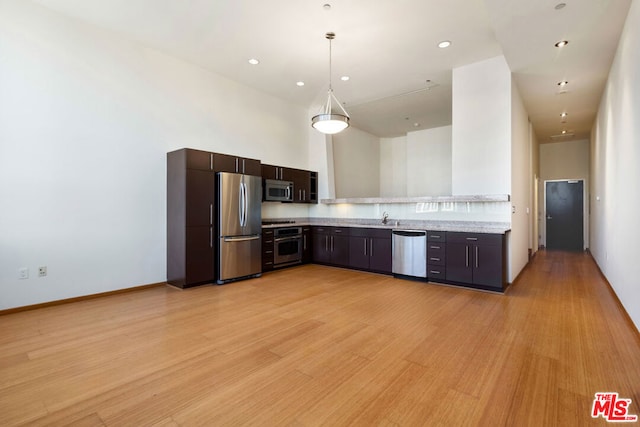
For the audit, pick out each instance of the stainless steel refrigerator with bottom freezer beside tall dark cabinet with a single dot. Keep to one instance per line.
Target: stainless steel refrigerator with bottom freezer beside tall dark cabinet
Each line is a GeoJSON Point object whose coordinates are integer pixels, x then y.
{"type": "Point", "coordinates": [239, 226]}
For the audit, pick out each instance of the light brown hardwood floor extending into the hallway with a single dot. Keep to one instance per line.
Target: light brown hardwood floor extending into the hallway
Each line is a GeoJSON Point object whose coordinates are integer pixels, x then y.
{"type": "Point", "coordinates": [315, 345]}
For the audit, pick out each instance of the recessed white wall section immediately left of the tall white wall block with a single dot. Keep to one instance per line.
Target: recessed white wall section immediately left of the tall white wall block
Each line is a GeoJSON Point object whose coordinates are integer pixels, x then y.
{"type": "Point", "coordinates": [428, 164]}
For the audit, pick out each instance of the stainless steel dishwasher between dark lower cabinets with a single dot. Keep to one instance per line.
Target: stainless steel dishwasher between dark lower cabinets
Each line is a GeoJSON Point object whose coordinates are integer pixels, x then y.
{"type": "Point", "coordinates": [410, 253]}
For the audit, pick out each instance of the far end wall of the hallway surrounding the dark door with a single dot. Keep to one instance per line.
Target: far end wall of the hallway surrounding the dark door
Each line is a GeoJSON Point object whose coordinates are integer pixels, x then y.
{"type": "Point", "coordinates": [560, 161]}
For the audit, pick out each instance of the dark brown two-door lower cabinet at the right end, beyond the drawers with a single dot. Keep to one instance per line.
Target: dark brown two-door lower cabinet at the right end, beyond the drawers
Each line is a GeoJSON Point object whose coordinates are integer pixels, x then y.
{"type": "Point", "coordinates": [476, 259]}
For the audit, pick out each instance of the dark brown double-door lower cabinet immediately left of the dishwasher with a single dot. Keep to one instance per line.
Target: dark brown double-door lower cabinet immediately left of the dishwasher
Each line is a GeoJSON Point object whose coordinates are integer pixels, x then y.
{"type": "Point", "coordinates": [370, 249]}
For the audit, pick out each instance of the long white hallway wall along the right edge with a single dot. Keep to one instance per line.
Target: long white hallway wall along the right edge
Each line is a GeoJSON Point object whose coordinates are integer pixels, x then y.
{"type": "Point", "coordinates": [615, 156]}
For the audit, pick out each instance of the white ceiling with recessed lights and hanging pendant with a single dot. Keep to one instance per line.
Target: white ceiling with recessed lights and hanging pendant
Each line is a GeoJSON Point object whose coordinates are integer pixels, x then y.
{"type": "Point", "coordinates": [389, 50]}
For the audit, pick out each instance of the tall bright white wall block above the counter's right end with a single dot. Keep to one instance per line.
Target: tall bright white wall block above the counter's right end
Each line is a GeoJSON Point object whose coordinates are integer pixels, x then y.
{"type": "Point", "coordinates": [481, 139]}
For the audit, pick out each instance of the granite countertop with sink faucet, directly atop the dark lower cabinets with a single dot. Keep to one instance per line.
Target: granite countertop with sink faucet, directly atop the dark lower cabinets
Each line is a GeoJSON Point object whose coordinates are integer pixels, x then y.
{"type": "Point", "coordinates": [461, 226]}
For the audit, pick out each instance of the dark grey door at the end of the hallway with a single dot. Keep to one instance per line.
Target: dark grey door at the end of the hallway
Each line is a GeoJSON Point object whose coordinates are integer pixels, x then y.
{"type": "Point", "coordinates": [565, 209]}
